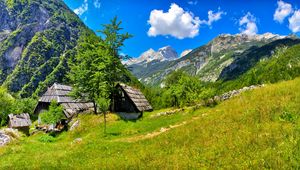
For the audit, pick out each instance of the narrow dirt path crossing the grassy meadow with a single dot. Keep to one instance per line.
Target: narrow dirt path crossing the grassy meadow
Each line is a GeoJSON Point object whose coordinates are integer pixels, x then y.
{"type": "Point", "coordinates": [155, 133]}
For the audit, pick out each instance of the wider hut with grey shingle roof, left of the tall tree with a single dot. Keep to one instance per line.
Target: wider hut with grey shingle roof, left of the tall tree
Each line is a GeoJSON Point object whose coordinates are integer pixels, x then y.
{"type": "Point", "coordinates": [59, 93]}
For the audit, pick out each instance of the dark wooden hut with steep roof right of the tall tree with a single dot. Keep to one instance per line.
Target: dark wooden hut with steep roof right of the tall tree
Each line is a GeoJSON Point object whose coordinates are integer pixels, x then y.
{"type": "Point", "coordinates": [130, 102]}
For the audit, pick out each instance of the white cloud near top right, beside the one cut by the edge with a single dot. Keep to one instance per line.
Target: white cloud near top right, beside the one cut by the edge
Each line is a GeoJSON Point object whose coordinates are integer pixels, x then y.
{"type": "Point", "coordinates": [283, 10]}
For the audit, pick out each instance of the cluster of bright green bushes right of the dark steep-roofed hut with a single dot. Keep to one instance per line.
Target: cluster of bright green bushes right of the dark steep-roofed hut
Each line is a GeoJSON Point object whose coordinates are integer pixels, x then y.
{"type": "Point", "coordinates": [180, 90]}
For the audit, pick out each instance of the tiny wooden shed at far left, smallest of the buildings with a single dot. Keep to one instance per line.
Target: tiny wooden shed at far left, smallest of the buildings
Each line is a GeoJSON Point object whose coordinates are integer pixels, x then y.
{"type": "Point", "coordinates": [20, 122]}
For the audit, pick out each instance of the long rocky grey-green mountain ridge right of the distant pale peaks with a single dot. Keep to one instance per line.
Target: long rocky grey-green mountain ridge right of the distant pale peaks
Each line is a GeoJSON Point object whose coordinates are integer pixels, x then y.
{"type": "Point", "coordinates": [208, 61]}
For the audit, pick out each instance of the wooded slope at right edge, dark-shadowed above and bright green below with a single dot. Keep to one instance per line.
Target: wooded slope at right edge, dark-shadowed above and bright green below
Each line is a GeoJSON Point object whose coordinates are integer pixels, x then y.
{"type": "Point", "coordinates": [283, 64]}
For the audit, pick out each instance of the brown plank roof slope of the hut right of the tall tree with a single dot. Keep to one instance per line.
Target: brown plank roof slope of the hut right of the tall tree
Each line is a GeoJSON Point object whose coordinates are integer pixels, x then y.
{"type": "Point", "coordinates": [137, 97]}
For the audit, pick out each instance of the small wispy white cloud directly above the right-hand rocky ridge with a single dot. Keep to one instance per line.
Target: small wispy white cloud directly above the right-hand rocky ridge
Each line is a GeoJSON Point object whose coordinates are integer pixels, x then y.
{"type": "Point", "coordinates": [248, 24]}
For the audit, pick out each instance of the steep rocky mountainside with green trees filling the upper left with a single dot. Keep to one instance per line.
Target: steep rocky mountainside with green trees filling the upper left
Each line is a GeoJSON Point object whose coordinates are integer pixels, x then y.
{"type": "Point", "coordinates": [36, 39]}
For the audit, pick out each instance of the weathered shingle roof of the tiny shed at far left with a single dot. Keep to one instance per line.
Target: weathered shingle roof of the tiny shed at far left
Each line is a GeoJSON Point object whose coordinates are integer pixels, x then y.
{"type": "Point", "coordinates": [20, 120]}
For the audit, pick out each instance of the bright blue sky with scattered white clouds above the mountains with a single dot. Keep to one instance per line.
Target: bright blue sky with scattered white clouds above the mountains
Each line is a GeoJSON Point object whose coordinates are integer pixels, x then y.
{"type": "Point", "coordinates": [188, 24]}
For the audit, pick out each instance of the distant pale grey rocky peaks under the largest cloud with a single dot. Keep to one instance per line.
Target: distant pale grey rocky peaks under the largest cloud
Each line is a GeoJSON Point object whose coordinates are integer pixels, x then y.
{"type": "Point", "coordinates": [163, 54]}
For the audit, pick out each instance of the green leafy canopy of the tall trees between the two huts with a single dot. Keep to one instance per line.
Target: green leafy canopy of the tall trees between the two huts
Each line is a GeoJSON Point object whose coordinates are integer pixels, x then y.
{"type": "Point", "coordinates": [97, 67]}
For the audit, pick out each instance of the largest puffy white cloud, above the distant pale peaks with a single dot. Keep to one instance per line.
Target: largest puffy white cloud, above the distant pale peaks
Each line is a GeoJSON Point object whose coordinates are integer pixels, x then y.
{"type": "Point", "coordinates": [176, 22]}
